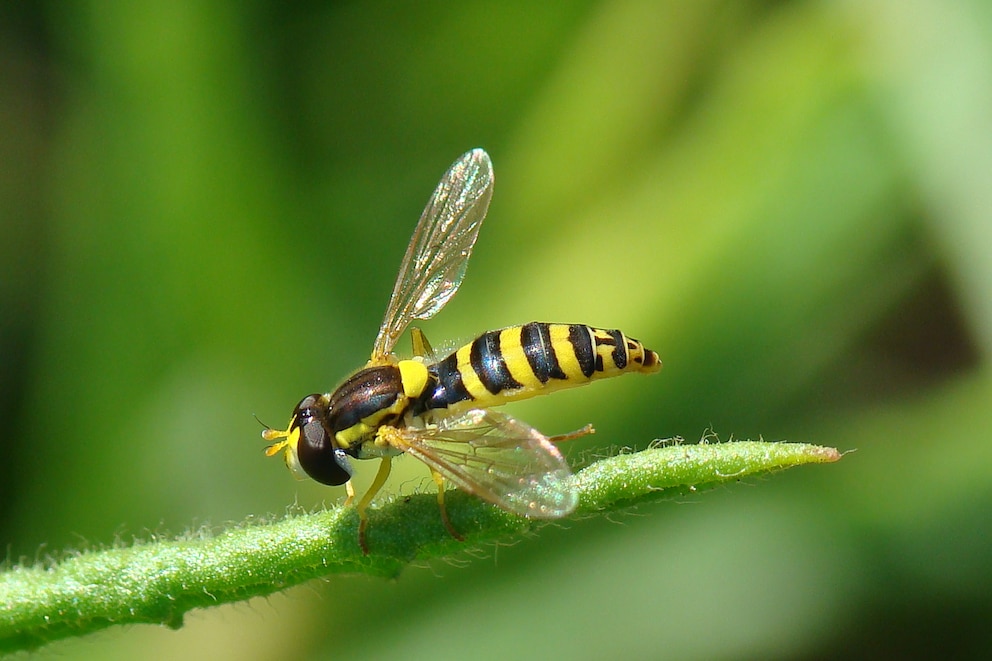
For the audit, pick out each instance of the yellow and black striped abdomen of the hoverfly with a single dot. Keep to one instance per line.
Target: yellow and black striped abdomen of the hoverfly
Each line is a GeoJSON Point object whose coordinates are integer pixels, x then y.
{"type": "Point", "coordinates": [522, 361]}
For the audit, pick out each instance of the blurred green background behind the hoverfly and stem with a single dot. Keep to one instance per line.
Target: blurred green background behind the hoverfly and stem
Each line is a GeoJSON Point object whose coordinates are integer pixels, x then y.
{"type": "Point", "coordinates": [203, 207]}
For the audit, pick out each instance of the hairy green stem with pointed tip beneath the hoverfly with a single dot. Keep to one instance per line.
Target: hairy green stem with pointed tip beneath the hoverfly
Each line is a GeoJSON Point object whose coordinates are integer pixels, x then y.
{"type": "Point", "coordinates": [158, 581]}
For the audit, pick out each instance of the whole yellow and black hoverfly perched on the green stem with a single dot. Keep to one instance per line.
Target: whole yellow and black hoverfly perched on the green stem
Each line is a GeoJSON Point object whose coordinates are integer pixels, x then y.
{"type": "Point", "coordinates": [438, 410]}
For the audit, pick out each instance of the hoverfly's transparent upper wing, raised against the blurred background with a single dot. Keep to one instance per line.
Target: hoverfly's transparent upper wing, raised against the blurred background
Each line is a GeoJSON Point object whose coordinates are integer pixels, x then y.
{"type": "Point", "coordinates": [437, 256]}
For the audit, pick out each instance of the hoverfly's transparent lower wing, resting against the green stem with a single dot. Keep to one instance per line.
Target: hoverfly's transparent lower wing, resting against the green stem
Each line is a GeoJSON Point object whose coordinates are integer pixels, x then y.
{"type": "Point", "coordinates": [497, 458]}
